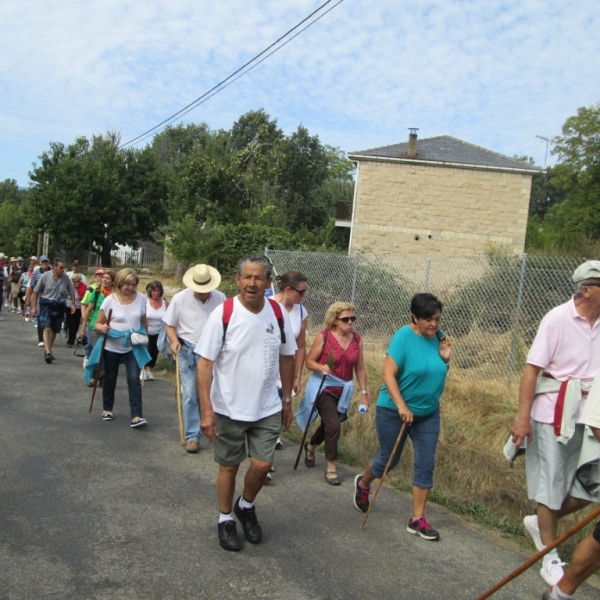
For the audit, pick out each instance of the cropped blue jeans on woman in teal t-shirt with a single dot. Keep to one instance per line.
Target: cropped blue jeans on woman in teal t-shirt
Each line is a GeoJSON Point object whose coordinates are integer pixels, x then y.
{"type": "Point", "coordinates": [424, 433]}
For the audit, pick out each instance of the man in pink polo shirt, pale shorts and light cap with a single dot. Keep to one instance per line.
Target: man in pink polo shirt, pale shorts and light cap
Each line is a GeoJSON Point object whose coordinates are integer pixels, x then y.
{"type": "Point", "coordinates": [566, 352]}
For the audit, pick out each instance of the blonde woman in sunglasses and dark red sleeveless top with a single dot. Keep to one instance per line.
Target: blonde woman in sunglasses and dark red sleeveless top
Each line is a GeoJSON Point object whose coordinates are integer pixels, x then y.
{"type": "Point", "coordinates": [337, 354]}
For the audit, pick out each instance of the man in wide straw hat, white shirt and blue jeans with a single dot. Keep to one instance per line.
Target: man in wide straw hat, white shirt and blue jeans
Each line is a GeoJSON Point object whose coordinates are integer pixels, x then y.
{"type": "Point", "coordinates": [184, 322]}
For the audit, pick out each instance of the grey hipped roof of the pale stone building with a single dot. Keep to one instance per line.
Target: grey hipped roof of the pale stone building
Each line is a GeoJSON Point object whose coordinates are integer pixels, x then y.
{"type": "Point", "coordinates": [449, 151]}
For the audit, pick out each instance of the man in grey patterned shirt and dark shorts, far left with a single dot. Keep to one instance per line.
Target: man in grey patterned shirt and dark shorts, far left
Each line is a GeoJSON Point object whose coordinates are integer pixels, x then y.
{"type": "Point", "coordinates": [52, 288]}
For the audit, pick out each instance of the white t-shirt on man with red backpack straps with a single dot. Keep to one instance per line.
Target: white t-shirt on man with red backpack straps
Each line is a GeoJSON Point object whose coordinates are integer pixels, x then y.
{"type": "Point", "coordinates": [246, 365]}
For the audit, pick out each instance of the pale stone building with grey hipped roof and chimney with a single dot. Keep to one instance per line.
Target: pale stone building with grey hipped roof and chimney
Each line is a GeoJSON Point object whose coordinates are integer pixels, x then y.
{"type": "Point", "coordinates": [438, 196]}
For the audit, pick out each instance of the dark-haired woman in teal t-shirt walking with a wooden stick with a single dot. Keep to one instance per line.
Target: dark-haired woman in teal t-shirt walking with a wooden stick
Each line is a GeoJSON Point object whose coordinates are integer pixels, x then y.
{"type": "Point", "coordinates": [414, 374]}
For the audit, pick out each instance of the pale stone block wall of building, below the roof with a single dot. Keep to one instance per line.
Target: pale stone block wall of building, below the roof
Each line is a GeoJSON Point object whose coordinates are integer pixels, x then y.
{"type": "Point", "coordinates": [453, 211]}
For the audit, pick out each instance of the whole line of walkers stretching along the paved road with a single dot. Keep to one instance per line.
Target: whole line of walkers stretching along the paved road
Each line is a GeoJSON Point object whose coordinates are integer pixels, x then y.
{"type": "Point", "coordinates": [240, 362]}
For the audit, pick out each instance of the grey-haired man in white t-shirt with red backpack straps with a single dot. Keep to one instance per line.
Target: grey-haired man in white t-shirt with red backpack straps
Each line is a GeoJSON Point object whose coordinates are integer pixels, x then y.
{"type": "Point", "coordinates": [246, 344]}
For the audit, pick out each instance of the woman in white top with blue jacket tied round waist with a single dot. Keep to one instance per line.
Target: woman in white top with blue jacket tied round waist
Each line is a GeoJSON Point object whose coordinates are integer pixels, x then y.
{"type": "Point", "coordinates": [128, 316]}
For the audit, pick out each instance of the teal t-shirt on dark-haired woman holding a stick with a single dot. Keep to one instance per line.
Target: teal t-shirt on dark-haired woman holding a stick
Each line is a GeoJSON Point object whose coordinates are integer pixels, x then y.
{"type": "Point", "coordinates": [421, 372]}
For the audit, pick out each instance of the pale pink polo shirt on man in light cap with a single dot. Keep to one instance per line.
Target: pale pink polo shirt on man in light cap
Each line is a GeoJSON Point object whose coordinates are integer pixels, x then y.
{"type": "Point", "coordinates": [565, 347]}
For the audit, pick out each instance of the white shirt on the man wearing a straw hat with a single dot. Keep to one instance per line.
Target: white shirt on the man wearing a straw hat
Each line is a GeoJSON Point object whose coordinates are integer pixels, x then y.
{"type": "Point", "coordinates": [188, 315]}
